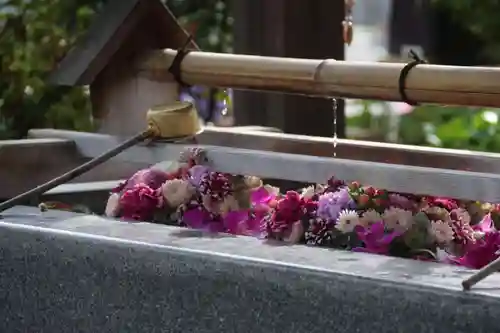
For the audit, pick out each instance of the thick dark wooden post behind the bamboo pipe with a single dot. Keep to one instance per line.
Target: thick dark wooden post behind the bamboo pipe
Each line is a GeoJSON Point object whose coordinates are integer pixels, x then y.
{"type": "Point", "coordinates": [289, 28]}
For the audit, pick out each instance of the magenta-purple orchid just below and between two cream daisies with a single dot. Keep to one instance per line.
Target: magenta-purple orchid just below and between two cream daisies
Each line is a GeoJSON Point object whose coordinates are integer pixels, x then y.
{"type": "Point", "coordinates": [375, 238]}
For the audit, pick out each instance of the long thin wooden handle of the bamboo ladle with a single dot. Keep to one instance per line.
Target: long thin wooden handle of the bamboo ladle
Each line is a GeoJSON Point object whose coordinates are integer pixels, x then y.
{"type": "Point", "coordinates": [78, 171]}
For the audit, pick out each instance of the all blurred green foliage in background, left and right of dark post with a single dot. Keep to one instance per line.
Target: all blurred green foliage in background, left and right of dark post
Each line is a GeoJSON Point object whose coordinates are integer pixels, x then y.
{"type": "Point", "coordinates": [35, 35]}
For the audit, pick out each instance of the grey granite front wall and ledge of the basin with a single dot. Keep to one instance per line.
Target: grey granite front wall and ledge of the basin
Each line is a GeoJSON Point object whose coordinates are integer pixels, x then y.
{"type": "Point", "coordinates": [68, 273]}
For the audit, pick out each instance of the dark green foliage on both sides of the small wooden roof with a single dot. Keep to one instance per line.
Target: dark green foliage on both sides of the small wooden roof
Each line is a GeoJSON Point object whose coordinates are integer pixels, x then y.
{"type": "Point", "coordinates": [35, 35]}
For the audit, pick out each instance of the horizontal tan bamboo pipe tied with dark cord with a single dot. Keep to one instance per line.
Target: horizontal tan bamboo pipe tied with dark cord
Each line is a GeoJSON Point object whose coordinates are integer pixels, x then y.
{"type": "Point", "coordinates": [454, 85]}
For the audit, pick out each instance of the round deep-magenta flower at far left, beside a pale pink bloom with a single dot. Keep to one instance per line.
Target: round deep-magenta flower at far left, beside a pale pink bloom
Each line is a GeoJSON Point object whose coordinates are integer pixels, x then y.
{"type": "Point", "coordinates": [140, 203]}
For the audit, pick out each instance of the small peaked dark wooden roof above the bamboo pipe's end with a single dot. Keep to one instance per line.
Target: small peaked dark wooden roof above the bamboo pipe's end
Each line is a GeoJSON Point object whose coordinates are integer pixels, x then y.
{"type": "Point", "coordinates": [110, 30]}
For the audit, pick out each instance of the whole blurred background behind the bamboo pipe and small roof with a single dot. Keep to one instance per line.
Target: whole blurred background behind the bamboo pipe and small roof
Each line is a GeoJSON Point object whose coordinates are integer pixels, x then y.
{"type": "Point", "coordinates": [36, 34]}
